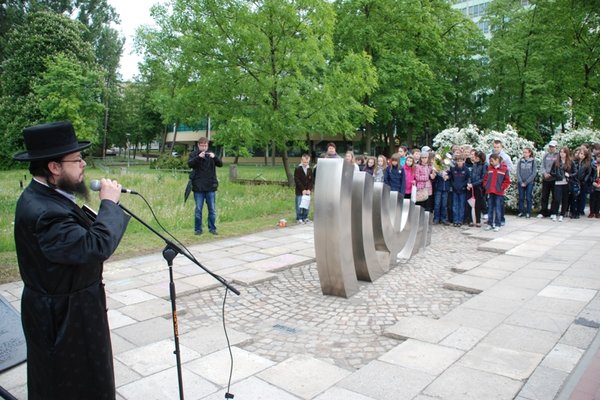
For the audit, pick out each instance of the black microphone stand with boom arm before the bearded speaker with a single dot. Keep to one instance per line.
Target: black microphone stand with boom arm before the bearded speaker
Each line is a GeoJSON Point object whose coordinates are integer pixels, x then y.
{"type": "Point", "coordinates": [169, 253]}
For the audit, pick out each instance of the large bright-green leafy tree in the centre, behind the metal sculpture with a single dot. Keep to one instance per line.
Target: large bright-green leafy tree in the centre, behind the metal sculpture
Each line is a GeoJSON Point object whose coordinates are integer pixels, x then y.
{"type": "Point", "coordinates": [268, 62]}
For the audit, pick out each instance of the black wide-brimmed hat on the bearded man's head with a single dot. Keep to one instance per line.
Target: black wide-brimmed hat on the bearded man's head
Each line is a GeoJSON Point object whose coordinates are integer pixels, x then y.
{"type": "Point", "coordinates": [48, 141]}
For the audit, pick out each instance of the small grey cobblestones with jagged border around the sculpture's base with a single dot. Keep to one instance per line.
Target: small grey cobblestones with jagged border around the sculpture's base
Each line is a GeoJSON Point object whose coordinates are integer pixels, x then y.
{"type": "Point", "coordinates": [290, 316]}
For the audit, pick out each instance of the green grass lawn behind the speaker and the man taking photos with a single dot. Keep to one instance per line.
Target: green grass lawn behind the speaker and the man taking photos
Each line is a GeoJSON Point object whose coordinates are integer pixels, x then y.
{"type": "Point", "coordinates": [241, 209]}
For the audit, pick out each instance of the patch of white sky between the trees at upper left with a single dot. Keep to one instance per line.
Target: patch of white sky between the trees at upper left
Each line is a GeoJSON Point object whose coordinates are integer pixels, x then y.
{"type": "Point", "coordinates": [133, 13]}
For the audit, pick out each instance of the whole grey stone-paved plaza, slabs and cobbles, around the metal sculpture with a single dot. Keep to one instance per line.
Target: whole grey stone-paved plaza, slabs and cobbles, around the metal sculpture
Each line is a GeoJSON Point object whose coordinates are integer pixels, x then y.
{"type": "Point", "coordinates": [477, 315]}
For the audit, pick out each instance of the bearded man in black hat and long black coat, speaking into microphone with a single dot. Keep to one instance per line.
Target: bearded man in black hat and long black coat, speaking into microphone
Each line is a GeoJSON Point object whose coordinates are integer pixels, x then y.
{"type": "Point", "coordinates": [61, 251]}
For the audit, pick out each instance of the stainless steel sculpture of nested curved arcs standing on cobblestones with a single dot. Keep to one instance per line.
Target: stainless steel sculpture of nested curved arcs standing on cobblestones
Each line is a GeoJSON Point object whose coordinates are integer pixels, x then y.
{"type": "Point", "coordinates": [361, 228]}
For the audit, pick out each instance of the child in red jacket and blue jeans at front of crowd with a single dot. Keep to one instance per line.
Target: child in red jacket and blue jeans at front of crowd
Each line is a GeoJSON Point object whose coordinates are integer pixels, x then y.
{"type": "Point", "coordinates": [495, 182]}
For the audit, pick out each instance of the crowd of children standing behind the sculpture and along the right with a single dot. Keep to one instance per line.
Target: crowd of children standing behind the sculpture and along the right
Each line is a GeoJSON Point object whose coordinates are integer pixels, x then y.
{"type": "Point", "coordinates": [470, 188]}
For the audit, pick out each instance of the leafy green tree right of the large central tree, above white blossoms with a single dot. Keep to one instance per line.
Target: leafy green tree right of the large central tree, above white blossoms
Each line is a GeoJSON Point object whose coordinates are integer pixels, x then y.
{"type": "Point", "coordinates": [424, 56]}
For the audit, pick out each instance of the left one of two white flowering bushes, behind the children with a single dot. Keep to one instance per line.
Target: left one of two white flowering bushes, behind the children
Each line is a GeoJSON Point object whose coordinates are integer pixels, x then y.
{"type": "Point", "coordinates": [484, 141]}
